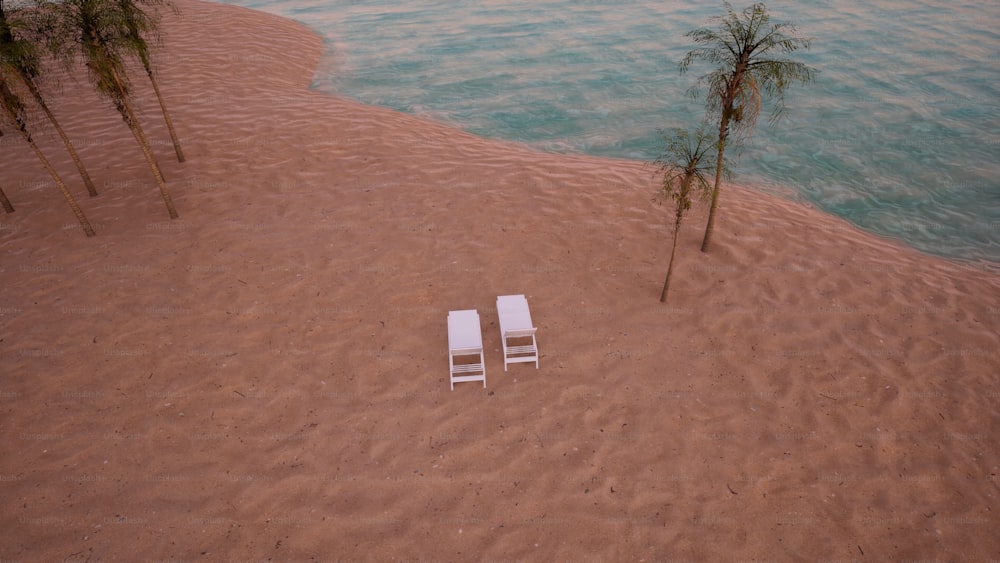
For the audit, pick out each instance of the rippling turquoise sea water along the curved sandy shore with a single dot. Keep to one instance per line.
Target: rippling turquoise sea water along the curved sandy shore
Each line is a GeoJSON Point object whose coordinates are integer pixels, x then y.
{"type": "Point", "coordinates": [899, 134]}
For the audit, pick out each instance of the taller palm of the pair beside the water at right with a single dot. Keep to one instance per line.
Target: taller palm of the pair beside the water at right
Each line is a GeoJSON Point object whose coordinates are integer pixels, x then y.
{"type": "Point", "coordinates": [744, 48]}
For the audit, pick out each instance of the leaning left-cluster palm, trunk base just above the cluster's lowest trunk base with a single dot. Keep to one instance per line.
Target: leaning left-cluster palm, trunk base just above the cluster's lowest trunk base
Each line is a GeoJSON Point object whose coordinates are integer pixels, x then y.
{"type": "Point", "coordinates": [19, 58]}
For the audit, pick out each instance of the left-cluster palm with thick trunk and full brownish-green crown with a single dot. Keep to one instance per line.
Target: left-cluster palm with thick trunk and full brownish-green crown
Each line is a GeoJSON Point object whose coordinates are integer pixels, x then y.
{"type": "Point", "coordinates": [98, 30]}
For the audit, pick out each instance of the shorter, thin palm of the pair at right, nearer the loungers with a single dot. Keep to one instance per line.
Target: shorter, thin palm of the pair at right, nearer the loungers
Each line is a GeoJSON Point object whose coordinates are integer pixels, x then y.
{"type": "Point", "coordinates": [683, 176]}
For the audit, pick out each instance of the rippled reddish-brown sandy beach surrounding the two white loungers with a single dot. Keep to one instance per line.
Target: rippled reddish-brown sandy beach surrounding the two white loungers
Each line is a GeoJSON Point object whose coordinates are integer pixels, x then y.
{"type": "Point", "coordinates": [266, 377]}
